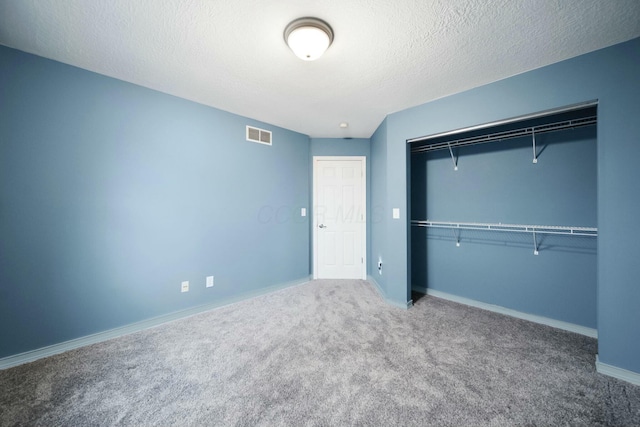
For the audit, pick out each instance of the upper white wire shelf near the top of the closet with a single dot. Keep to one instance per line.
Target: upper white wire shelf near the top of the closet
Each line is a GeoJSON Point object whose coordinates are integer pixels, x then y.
{"type": "Point", "coordinates": [498, 136]}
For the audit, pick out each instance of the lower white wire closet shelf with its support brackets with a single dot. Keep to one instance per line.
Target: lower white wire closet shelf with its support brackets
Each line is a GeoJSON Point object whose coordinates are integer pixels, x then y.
{"type": "Point", "coordinates": [534, 230]}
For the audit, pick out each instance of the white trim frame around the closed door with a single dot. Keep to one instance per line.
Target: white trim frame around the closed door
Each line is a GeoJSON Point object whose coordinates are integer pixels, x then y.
{"type": "Point", "coordinates": [314, 222]}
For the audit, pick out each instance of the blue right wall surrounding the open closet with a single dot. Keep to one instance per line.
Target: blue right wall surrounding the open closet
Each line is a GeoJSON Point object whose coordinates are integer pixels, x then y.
{"type": "Point", "coordinates": [609, 75]}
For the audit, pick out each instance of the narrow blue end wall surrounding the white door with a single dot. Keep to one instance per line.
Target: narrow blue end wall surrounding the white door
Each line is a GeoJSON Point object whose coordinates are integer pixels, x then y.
{"type": "Point", "coordinates": [343, 147]}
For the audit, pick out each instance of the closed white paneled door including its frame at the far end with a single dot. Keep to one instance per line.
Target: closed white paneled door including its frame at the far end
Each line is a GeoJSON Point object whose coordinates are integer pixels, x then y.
{"type": "Point", "coordinates": [339, 217]}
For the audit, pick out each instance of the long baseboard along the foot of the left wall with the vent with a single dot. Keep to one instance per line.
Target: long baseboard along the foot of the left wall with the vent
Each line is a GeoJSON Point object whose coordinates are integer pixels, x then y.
{"type": "Point", "coordinates": [33, 355]}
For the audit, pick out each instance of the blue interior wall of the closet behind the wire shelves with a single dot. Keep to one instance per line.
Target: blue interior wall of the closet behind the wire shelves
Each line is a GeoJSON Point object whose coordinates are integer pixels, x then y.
{"type": "Point", "coordinates": [498, 183]}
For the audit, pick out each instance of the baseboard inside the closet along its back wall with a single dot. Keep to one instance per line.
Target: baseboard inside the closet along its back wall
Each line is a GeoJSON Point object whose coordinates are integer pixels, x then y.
{"type": "Point", "coordinates": [571, 327]}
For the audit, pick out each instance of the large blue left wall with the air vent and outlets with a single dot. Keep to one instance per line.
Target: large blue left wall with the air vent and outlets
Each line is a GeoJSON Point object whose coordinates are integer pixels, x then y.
{"type": "Point", "coordinates": [112, 194]}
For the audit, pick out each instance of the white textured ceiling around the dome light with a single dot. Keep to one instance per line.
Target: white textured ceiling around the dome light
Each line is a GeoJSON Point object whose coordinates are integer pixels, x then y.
{"type": "Point", "coordinates": [386, 55]}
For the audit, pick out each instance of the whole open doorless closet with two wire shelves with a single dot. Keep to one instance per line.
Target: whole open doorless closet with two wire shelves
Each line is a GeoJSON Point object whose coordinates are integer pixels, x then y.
{"type": "Point", "coordinates": [504, 214]}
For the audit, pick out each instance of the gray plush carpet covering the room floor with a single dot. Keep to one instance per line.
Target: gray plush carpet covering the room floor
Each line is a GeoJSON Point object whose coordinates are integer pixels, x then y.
{"type": "Point", "coordinates": [325, 353]}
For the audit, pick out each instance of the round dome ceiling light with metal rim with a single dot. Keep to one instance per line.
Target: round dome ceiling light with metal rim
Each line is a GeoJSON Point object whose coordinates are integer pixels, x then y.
{"type": "Point", "coordinates": [308, 38]}
